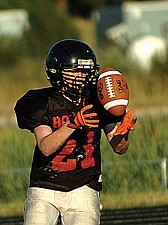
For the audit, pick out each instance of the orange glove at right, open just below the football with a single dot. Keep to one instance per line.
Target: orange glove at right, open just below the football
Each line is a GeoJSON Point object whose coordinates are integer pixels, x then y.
{"type": "Point", "coordinates": [126, 124]}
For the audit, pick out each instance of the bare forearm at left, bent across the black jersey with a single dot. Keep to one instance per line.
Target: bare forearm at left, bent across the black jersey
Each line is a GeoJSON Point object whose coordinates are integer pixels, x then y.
{"type": "Point", "coordinates": [52, 142]}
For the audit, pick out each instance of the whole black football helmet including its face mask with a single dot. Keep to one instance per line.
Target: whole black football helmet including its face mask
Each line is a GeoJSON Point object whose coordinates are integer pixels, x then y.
{"type": "Point", "coordinates": [71, 54]}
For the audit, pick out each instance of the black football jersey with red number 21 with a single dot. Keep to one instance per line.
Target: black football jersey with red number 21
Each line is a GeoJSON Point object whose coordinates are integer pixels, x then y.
{"type": "Point", "coordinates": [78, 161]}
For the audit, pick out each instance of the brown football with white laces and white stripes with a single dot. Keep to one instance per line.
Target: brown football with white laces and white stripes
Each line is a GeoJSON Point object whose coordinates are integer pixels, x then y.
{"type": "Point", "coordinates": [113, 91]}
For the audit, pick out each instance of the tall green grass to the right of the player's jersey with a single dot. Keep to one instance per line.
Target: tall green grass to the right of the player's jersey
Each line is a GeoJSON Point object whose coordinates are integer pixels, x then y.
{"type": "Point", "coordinates": [139, 170]}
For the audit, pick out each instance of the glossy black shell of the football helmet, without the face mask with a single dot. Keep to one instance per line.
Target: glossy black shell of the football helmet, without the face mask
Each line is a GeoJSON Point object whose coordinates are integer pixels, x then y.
{"type": "Point", "coordinates": [70, 54]}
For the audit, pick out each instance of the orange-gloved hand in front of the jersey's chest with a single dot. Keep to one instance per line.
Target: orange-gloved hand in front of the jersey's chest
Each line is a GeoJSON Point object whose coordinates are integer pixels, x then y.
{"type": "Point", "coordinates": [84, 118]}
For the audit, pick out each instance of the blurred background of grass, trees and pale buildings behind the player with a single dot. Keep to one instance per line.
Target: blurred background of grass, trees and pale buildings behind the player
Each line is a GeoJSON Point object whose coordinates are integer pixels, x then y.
{"type": "Point", "coordinates": [132, 37]}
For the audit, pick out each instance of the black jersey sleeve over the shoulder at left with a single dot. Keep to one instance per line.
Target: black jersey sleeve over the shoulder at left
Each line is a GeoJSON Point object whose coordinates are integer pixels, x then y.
{"type": "Point", "coordinates": [31, 110]}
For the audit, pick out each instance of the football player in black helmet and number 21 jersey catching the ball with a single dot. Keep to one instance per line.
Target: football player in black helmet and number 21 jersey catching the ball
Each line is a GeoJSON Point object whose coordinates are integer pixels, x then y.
{"type": "Point", "coordinates": [66, 120]}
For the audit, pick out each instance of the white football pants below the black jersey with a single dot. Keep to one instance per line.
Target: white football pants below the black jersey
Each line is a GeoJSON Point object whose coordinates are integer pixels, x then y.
{"type": "Point", "coordinates": [77, 207]}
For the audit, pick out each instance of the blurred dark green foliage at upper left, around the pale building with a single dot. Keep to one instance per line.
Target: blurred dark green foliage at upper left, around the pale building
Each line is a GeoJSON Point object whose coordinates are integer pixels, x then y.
{"type": "Point", "coordinates": [48, 24]}
